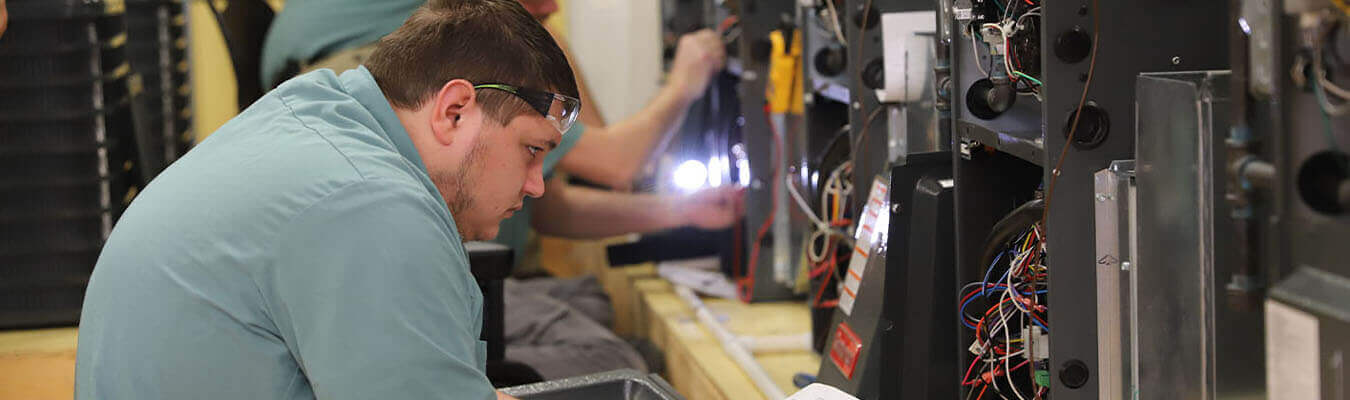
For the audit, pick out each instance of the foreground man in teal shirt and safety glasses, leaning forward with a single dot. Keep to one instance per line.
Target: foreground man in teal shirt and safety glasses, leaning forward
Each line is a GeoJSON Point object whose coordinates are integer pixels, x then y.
{"type": "Point", "coordinates": [313, 248]}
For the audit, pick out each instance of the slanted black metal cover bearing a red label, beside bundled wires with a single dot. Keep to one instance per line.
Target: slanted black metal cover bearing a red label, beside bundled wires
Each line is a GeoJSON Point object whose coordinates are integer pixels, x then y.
{"type": "Point", "coordinates": [902, 302]}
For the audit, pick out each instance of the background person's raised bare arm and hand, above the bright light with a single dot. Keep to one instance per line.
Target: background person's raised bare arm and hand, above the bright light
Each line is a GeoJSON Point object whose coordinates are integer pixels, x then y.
{"type": "Point", "coordinates": [615, 155]}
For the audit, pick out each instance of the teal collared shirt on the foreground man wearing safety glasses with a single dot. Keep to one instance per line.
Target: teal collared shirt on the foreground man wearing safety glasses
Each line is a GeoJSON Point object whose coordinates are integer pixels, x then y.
{"type": "Point", "coordinates": [300, 252]}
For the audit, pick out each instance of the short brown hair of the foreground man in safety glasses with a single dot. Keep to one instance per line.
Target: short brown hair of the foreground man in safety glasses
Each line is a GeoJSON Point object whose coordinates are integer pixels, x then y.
{"type": "Point", "coordinates": [480, 41]}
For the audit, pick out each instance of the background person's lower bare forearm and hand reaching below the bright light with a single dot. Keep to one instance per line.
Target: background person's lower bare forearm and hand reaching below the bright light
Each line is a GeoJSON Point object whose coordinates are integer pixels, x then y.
{"type": "Point", "coordinates": [581, 213]}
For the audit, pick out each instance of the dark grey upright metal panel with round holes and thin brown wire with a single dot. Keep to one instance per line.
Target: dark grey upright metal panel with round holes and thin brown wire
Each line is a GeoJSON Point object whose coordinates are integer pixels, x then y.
{"type": "Point", "coordinates": [1124, 52]}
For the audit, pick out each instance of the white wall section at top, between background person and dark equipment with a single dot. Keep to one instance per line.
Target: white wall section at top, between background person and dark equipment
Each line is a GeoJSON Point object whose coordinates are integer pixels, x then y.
{"type": "Point", "coordinates": [618, 47]}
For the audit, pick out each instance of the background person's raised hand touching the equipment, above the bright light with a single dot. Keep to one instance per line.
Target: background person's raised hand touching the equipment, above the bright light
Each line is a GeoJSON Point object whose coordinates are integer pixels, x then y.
{"type": "Point", "coordinates": [699, 57]}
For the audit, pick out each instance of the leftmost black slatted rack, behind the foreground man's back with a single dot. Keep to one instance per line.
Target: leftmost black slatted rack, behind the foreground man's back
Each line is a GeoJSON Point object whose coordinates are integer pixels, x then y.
{"type": "Point", "coordinates": [67, 153]}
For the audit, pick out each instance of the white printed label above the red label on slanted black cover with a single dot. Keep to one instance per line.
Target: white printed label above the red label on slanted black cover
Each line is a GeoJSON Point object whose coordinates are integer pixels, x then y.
{"type": "Point", "coordinates": [871, 230]}
